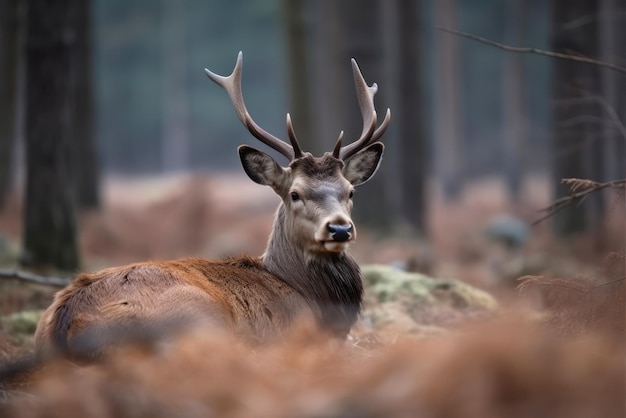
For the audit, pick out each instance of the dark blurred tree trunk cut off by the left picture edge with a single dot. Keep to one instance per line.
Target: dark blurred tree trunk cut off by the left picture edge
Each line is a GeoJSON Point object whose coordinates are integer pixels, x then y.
{"type": "Point", "coordinates": [9, 60]}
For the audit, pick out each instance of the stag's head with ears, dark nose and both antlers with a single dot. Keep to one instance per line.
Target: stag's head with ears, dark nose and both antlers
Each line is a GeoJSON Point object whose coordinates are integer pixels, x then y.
{"type": "Point", "coordinates": [316, 192]}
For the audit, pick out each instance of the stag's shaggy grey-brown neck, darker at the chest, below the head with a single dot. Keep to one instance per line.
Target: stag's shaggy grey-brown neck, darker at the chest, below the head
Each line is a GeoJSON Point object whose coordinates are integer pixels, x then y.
{"type": "Point", "coordinates": [331, 283]}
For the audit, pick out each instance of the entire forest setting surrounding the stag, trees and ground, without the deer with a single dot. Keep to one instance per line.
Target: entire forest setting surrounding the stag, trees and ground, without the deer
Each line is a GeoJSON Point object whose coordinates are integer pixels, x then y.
{"type": "Point", "coordinates": [115, 147]}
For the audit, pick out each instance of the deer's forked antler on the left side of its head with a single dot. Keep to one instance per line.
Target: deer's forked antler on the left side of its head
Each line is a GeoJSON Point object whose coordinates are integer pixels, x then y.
{"type": "Point", "coordinates": [232, 85]}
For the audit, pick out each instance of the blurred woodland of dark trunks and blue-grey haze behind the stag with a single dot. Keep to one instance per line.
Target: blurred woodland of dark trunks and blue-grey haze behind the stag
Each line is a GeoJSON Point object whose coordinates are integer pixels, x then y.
{"type": "Point", "coordinates": [94, 92]}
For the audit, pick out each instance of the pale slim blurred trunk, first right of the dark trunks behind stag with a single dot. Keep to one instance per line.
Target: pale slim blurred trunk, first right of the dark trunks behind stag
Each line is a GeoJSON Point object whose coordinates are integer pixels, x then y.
{"type": "Point", "coordinates": [448, 119]}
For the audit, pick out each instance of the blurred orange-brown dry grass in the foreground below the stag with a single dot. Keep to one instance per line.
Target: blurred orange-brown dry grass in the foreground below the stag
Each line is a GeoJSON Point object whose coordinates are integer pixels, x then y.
{"type": "Point", "coordinates": [508, 368]}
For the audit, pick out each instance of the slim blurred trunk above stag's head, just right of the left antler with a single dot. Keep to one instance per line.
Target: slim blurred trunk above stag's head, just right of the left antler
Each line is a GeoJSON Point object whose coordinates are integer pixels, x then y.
{"type": "Point", "coordinates": [299, 78]}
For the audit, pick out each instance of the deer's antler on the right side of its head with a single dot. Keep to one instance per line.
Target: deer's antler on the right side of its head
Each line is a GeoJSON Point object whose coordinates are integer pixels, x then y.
{"type": "Point", "coordinates": [370, 133]}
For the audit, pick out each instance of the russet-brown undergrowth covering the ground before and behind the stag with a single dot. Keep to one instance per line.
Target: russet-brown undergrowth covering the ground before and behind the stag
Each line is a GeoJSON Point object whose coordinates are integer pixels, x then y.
{"type": "Point", "coordinates": [554, 348]}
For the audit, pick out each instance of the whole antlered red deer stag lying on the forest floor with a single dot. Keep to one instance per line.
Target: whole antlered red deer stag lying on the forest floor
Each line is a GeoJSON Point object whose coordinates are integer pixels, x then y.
{"type": "Point", "coordinates": [305, 269]}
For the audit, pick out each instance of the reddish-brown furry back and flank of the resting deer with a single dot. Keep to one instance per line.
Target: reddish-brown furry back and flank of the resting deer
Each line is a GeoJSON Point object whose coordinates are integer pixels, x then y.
{"type": "Point", "coordinates": [237, 295]}
